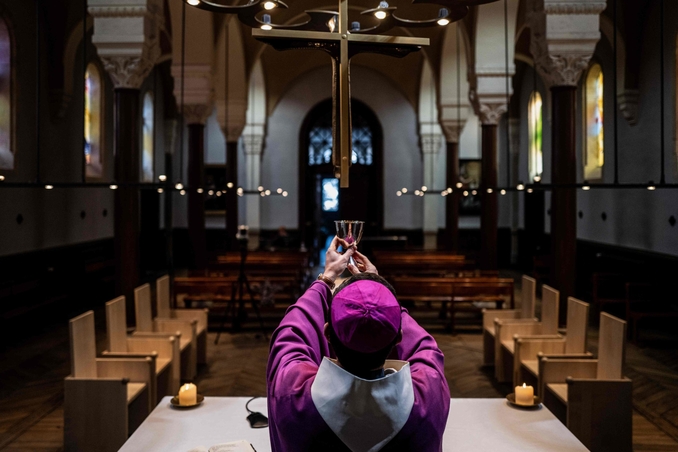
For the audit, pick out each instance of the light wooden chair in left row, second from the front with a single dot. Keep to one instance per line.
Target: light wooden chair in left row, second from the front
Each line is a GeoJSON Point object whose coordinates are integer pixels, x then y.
{"type": "Point", "coordinates": [163, 349]}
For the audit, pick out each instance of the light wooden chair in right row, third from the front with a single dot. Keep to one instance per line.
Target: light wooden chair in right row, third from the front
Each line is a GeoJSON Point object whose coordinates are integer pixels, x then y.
{"type": "Point", "coordinates": [506, 330]}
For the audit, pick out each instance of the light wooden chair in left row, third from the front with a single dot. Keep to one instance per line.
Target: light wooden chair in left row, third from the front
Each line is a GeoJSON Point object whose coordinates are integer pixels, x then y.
{"type": "Point", "coordinates": [147, 326]}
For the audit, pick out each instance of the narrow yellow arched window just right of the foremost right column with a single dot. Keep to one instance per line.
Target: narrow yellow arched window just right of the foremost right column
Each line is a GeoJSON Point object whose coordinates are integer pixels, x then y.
{"type": "Point", "coordinates": [594, 152]}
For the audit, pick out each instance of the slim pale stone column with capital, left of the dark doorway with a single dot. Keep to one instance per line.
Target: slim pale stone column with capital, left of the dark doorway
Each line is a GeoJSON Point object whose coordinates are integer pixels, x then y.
{"type": "Point", "coordinates": [253, 142]}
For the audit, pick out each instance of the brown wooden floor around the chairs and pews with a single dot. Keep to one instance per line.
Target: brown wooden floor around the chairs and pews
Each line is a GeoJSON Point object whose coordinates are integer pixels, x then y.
{"type": "Point", "coordinates": [32, 372]}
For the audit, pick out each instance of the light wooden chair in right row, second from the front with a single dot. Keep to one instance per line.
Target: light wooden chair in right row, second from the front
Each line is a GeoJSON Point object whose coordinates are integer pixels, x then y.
{"type": "Point", "coordinates": [529, 350]}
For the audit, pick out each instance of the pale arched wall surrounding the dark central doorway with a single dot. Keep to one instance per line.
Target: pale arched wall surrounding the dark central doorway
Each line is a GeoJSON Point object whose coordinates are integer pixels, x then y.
{"type": "Point", "coordinates": [402, 156]}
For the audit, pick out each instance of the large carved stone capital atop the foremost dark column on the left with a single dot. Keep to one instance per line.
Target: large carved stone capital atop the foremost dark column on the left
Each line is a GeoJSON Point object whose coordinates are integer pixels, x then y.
{"type": "Point", "coordinates": [126, 37]}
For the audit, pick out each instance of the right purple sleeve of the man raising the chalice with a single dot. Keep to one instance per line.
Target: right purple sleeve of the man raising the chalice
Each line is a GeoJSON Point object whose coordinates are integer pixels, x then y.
{"type": "Point", "coordinates": [431, 392]}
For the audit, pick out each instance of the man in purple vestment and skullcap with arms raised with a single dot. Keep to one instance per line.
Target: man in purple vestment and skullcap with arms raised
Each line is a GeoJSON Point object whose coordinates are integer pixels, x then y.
{"type": "Point", "coordinates": [349, 397]}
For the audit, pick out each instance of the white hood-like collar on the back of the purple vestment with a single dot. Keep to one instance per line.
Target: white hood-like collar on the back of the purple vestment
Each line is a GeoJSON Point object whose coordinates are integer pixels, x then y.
{"type": "Point", "coordinates": [364, 414]}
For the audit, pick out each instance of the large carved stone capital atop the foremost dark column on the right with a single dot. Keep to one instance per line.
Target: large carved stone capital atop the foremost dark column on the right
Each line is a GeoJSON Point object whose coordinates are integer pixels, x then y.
{"type": "Point", "coordinates": [564, 34]}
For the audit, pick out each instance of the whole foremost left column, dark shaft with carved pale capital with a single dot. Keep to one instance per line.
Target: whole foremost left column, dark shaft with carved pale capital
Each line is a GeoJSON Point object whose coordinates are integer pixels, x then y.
{"type": "Point", "coordinates": [126, 37]}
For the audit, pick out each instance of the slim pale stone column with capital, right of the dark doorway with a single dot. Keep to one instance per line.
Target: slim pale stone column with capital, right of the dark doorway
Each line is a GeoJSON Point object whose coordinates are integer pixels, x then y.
{"type": "Point", "coordinates": [430, 146]}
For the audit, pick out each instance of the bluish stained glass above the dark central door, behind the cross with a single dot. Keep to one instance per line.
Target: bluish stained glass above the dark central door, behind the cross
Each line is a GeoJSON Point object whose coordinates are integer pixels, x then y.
{"type": "Point", "coordinates": [320, 142]}
